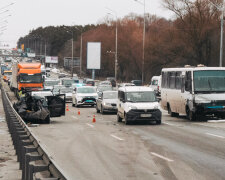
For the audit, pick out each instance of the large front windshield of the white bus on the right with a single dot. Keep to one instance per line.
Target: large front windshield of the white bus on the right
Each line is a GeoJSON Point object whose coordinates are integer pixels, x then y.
{"type": "Point", "coordinates": [209, 81]}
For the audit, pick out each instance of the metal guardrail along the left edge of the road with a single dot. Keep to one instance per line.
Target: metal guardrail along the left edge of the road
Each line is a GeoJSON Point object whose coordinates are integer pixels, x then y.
{"type": "Point", "coordinates": [33, 158]}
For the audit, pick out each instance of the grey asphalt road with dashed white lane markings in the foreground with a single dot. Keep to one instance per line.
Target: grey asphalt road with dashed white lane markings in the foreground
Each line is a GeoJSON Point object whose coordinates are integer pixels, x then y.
{"type": "Point", "coordinates": [177, 149]}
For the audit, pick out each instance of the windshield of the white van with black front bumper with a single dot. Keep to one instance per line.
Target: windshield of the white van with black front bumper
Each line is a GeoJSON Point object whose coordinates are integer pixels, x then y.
{"type": "Point", "coordinates": [146, 96]}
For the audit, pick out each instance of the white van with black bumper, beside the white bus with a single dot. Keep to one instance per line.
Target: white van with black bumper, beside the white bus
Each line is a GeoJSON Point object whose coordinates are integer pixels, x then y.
{"type": "Point", "coordinates": [138, 103]}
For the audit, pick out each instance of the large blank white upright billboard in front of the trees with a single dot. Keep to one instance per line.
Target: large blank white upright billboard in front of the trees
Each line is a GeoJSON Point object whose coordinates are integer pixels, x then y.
{"type": "Point", "coordinates": [93, 55]}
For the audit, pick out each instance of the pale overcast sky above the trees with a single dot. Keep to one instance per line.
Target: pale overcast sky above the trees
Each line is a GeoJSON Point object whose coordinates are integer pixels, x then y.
{"type": "Point", "coordinates": [30, 14]}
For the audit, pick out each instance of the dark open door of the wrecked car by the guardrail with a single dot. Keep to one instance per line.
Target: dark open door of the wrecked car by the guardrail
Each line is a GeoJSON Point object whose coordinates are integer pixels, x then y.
{"type": "Point", "coordinates": [56, 105]}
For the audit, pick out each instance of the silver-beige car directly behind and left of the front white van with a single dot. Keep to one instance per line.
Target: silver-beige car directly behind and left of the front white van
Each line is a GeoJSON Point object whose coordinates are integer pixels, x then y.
{"type": "Point", "coordinates": [107, 102]}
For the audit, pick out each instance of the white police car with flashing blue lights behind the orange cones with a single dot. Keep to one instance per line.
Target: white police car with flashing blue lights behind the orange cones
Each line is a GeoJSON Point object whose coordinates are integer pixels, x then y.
{"type": "Point", "coordinates": [85, 95]}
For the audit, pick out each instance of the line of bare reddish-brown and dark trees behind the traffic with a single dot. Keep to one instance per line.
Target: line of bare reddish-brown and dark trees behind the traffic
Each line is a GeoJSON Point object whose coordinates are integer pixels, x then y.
{"type": "Point", "coordinates": [192, 37]}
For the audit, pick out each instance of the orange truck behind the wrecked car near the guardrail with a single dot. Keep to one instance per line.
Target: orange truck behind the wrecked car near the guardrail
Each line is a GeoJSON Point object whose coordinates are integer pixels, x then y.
{"type": "Point", "coordinates": [26, 76]}
